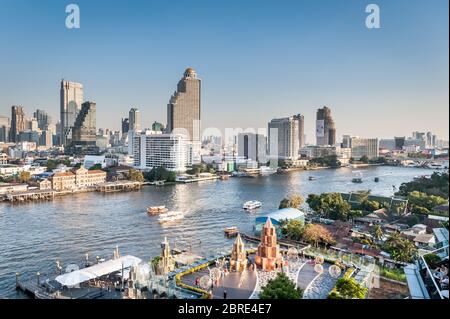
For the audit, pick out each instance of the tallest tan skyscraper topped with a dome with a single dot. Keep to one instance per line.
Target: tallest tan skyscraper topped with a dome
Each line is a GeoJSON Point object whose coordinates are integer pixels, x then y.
{"type": "Point", "coordinates": [183, 110]}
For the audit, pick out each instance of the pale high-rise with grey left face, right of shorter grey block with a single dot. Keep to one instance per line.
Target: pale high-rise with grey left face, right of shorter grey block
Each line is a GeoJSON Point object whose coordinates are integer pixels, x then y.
{"type": "Point", "coordinates": [284, 142]}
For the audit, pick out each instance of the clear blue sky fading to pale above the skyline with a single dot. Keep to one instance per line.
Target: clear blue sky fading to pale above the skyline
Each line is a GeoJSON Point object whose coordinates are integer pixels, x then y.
{"type": "Point", "coordinates": [258, 60]}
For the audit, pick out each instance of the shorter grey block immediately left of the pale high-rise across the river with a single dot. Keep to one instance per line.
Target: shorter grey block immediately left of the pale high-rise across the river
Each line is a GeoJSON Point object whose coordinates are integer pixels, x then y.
{"type": "Point", "coordinates": [252, 146]}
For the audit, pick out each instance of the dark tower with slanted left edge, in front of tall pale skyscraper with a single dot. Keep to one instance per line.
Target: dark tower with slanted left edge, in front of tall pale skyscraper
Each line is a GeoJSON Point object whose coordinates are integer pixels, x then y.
{"type": "Point", "coordinates": [84, 132]}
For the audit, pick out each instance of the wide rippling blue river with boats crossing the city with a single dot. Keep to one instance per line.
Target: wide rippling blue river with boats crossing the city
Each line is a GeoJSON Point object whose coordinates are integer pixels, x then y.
{"type": "Point", "coordinates": [33, 236]}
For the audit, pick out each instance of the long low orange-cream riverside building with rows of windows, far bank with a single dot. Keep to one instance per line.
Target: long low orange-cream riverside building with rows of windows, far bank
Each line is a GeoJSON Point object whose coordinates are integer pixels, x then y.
{"type": "Point", "coordinates": [80, 179]}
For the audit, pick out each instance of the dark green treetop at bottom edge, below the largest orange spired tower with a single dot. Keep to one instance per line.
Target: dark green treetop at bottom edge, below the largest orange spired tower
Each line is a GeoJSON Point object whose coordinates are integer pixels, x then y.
{"type": "Point", "coordinates": [281, 288]}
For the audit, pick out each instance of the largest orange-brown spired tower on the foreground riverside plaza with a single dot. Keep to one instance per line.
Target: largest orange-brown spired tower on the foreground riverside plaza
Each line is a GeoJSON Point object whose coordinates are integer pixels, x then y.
{"type": "Point", "coordinates": [268, 256]}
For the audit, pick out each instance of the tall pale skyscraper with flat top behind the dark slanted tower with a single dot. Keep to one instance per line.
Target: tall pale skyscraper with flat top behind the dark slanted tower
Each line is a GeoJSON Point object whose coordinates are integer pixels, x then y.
{"type": "Point", "coordinates": [71, 98]}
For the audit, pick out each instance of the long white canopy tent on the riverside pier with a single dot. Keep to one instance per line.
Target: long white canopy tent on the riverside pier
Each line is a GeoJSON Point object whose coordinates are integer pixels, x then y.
{"type": "Point", "coordinates": [114, 265]}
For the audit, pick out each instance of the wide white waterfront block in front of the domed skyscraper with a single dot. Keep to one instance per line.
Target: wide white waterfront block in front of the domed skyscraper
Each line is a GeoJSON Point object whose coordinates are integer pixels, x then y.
{"type": "Point", "coordinates": [155, 149]}
